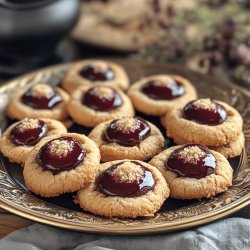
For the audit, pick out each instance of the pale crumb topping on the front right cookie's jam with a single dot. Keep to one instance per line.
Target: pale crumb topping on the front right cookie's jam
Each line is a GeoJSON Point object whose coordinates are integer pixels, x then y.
{"type": "Point", "coordinates": [191, 154]}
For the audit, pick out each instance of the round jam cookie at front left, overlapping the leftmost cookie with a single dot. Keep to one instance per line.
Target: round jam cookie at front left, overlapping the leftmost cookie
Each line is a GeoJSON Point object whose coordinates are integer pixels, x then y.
{"type": "Point", "coordinates": [61, 164]}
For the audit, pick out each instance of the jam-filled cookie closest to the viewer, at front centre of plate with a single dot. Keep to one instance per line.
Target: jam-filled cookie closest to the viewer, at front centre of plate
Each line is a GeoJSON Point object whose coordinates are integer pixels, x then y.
{"type": "Point", "coordinates": [140, 193]}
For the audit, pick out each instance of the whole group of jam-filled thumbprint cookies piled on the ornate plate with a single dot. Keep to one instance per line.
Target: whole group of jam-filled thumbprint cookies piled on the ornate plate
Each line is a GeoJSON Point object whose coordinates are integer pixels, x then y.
{"type": "Point", "coordinates": [120, 168]}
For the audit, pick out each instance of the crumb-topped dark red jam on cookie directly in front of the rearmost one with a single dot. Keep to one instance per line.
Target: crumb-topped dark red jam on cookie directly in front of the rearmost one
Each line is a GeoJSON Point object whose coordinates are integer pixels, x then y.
{"type": "Point", "coordinates": [102, 99]}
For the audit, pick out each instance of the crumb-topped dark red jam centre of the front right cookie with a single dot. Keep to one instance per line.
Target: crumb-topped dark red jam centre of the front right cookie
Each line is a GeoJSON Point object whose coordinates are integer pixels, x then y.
{"type": "Point", "coordinates": [192, 160]}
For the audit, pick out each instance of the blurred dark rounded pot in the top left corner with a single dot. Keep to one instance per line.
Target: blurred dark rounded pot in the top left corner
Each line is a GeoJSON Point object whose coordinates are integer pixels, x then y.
{"type": "Point", "coordinates": [30, 30]}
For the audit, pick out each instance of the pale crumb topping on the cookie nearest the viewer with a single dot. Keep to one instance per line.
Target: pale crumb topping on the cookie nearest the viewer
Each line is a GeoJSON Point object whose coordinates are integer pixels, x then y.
{"type": "Point", "coordinates": [128, 172]}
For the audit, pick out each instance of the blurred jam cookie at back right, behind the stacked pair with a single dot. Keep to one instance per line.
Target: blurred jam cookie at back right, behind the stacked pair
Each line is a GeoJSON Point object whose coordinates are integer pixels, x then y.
{"type": "Point", "coordinates": [159, 94]}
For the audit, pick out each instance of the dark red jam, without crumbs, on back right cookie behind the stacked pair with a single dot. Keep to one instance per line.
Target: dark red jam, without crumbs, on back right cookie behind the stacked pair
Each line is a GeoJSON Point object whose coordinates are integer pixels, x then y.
{"type": "Point", "coordinates": [159, 91]}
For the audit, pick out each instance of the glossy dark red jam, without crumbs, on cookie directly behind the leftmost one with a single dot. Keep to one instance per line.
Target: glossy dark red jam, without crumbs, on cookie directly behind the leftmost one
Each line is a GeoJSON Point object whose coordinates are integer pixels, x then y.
{"type": "Point", "coordinates": [41, 102]}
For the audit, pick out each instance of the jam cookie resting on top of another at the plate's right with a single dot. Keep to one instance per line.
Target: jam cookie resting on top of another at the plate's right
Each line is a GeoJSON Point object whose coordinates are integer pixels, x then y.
{"type": "Point", "coordinates": [206, 122]}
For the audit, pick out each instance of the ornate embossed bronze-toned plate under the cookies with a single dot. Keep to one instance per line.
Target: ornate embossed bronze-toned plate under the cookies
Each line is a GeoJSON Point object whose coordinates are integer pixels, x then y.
{"type": "Point", "coordinates": [175, 214]}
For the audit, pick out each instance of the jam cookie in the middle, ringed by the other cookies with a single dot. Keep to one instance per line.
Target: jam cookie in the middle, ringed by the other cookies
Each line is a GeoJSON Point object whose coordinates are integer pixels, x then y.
{"type": "Point", "coordinates": [132, 138]}
